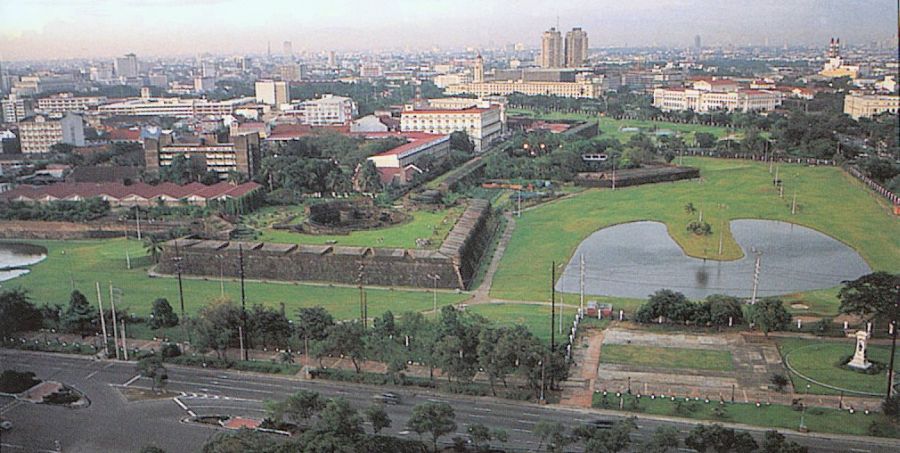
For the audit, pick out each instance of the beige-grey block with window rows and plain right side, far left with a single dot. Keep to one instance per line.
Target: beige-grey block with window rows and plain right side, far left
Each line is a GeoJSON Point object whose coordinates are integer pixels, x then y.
{"type": "Point", "coordinates": [38, 134]}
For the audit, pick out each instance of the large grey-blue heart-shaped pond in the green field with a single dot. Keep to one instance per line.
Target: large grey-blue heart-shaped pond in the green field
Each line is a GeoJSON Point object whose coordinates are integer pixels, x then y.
{"type": "Point", "coordinates": [636, 259]}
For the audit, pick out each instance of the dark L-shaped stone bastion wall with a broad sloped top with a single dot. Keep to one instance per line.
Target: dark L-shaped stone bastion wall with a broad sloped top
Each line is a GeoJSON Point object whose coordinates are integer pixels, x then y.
{"type": "Point", "coordinates": [455, 262]}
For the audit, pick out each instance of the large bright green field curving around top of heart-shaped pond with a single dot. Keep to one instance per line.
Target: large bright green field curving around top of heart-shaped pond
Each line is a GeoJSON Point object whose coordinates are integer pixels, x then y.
{"type": "Point", "coordinates": [830, 201]}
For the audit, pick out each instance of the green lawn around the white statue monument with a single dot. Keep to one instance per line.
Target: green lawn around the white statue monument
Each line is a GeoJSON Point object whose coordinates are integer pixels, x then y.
{"type": "Point", "coordinates": [819, 361]}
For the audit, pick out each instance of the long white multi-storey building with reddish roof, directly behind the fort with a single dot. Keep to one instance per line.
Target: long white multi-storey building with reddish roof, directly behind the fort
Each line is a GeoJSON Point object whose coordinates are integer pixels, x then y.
{"type": "Point", "coordinates": [483, 125]}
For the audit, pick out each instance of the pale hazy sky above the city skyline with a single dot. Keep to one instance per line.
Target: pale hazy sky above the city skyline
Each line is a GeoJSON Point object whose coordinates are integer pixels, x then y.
{"type": "Point", "coordinates": [39, 29]}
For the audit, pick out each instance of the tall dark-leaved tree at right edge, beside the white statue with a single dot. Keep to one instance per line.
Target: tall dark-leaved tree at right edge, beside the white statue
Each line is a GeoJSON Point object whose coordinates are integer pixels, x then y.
{"type": "Point", "coordinates": [875, 296]}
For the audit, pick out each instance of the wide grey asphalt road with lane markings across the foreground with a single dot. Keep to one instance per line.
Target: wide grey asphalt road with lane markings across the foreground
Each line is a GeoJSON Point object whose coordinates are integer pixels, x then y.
{"type": "Point", "coordinates": [113, 424]}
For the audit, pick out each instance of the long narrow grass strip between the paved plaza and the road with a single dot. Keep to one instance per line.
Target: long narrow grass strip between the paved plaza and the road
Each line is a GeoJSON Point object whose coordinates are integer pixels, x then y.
{"type": "Point", "coordinates": [817, 419]}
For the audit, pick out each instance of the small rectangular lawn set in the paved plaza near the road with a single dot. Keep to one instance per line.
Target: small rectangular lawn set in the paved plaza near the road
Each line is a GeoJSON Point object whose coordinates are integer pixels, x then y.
{"type": "Point", "coordinates": [651, 356]}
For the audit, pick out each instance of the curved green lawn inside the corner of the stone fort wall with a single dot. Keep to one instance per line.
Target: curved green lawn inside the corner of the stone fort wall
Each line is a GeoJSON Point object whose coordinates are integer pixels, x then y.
{"type": "Point", "coordinates": [424, 224]}
